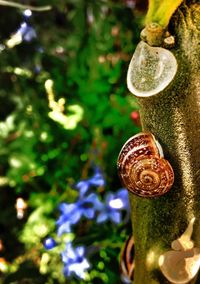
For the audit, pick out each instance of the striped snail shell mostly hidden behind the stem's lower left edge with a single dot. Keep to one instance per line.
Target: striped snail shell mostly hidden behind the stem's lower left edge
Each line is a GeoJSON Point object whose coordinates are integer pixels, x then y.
{"type": "Point", "coordinates": [127, 263]}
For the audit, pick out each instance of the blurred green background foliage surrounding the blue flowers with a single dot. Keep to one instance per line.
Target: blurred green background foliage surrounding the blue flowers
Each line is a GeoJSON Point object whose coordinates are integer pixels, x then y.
{"type": "Point", "coordinates": [83, 48]}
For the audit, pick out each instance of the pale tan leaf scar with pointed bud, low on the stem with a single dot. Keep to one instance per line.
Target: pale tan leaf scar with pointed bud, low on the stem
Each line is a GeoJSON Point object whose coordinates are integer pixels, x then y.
{"type": "Point", "coordinates": [181, 264]}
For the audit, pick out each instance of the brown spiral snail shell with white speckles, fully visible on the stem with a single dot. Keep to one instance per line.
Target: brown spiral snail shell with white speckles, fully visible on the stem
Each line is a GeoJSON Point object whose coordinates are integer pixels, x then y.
{"type": "Point", "coordinates": [142, 168]}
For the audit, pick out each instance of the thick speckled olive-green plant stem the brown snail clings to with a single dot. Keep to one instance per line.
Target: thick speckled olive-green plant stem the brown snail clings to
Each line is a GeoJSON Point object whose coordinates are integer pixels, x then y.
{"type": "Point", "coordinates": [173, 116]}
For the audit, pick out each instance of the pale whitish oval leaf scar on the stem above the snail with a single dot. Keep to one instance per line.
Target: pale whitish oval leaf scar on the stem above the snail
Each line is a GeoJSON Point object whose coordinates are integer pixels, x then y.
{"type": "Point", "coordinates": [151, 70]}
